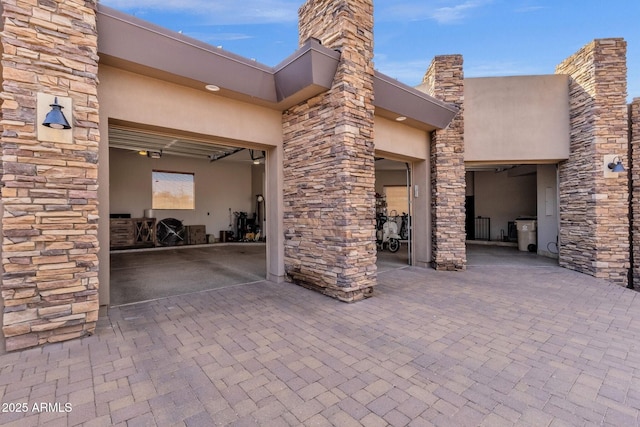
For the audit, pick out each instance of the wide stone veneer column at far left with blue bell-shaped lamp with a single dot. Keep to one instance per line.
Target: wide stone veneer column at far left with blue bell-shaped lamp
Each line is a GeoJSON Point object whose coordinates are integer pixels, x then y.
{"type": "Point", "coordinates": [49, 193]}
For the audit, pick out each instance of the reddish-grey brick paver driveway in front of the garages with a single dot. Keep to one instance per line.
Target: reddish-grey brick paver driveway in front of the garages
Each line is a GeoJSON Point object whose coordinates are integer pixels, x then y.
{"type": "Point", "coordinates": [491, 346]}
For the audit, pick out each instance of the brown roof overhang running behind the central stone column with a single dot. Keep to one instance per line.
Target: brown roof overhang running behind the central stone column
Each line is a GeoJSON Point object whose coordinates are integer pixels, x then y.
{"type": "Point", "coordinates": [138, 46]}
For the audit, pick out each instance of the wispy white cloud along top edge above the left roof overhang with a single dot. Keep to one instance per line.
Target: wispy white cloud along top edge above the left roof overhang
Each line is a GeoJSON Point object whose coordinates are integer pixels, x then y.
{"type": "Point", "coordinates": [216, 12]}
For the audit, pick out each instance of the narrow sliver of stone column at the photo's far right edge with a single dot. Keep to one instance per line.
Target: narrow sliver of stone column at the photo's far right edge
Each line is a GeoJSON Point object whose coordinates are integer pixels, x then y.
{"type": "Point", "coordinates": [634, 139]}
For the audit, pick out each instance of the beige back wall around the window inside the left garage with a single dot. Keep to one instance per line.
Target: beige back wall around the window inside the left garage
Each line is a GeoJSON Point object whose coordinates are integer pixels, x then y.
{"type": "Point", "coordinates": [219, 186]}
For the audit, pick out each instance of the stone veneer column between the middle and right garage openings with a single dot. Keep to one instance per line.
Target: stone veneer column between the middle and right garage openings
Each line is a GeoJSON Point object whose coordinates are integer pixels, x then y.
{"type": "Point", "coordinates": [445, 81]}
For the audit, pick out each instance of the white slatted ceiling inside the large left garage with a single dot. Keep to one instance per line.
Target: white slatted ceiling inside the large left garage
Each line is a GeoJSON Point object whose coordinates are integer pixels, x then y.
{"type": "Point", "coordinates": [142, 140]}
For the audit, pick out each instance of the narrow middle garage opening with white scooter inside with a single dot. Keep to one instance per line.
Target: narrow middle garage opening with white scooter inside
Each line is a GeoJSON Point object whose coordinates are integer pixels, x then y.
{"type": "Point", "coordinates": [393, 214]}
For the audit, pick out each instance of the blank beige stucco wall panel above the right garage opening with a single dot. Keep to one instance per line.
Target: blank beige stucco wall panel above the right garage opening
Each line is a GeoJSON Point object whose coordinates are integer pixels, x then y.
{"type": "Point", "coordinates": [521, 119]}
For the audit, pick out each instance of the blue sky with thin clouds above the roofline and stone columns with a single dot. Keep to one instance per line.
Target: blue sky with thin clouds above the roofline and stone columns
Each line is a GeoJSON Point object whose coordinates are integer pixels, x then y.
{"type": "Point", "coordinates": [496, 37]}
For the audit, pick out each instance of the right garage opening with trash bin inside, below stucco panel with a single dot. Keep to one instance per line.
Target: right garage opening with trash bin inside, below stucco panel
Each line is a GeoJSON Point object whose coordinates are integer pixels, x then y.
{"type": "Point", "coordinates": [511, 214]}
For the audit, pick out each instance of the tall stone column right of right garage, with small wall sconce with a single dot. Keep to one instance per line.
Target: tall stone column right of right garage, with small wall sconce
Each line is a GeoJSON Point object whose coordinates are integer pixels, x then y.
{"type": "Point", "coordinates": [594, 226]}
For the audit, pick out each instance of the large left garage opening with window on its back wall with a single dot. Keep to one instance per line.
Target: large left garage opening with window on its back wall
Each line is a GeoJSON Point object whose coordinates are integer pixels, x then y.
{"type": "Point", "coordinates": [187, 214]}
